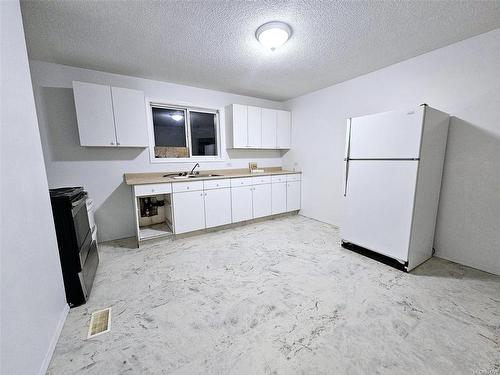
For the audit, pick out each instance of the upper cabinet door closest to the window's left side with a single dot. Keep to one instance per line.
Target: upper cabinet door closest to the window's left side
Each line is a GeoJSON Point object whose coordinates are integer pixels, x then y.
{"type": "Point", "coordinates": [130, 117]}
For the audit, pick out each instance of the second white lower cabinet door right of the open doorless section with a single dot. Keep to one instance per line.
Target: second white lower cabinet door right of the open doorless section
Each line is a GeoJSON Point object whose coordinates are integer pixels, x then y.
{"type": "Point", "coordinates": [217, 207]}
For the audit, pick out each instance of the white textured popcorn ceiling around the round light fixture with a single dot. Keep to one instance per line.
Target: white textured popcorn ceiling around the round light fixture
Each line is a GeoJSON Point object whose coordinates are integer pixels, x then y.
{"type": "Point", "coordinates": [211, 44]}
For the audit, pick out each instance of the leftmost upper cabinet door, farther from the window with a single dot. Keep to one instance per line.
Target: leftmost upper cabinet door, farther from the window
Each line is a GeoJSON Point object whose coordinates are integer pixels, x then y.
{"type": "Point", "coordinates": [94, 112]}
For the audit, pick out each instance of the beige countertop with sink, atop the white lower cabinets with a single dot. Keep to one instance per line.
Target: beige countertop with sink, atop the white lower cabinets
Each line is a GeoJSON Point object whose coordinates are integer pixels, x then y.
{"type": "Point", "coordinates": [158, 177]}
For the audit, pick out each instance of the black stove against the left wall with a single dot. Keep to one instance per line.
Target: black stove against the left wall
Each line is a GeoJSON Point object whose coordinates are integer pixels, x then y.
{"type": "Point", "coordinates": [77, 251]}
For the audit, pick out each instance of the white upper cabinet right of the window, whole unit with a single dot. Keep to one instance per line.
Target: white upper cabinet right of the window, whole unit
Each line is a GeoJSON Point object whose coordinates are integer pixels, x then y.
{"type": "Point", "coordinates": [250, 127]}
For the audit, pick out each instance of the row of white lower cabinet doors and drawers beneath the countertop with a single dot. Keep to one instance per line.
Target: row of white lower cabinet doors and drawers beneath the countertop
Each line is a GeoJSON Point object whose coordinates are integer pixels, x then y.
{"type": "Point", "coordinates": [198, 205]}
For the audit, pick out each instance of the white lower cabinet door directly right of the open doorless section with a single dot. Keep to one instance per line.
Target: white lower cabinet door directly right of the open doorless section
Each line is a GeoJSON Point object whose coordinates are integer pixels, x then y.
{"type": "Point", "coordinates": [189, 211]}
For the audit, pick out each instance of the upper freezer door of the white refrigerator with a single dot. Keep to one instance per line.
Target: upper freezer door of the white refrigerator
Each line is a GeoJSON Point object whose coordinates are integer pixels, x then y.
{"type": "Point", "coordinates": [388, 135]}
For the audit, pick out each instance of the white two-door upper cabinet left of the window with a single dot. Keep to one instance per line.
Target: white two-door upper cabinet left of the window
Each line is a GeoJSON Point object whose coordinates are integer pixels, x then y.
{"type": "Point", "coordinates": [110, 116]}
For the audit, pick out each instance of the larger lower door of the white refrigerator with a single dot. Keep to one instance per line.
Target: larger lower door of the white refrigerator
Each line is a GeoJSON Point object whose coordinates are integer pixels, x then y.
{"type": "Point", "coordinates": [379, 205]}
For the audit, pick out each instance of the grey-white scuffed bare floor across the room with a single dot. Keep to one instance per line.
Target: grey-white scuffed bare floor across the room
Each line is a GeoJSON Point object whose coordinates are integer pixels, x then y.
{"type": "Point", "coordinates": [280, 297]}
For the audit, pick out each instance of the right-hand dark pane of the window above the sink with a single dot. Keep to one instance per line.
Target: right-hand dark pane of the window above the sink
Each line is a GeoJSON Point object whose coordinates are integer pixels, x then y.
{"type": "Point", "coordinates": [203, 134]}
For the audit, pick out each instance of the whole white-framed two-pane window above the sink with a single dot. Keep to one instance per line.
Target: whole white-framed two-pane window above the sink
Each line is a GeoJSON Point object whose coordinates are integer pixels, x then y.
{"type": "Point", "coordinates": [184, 133]}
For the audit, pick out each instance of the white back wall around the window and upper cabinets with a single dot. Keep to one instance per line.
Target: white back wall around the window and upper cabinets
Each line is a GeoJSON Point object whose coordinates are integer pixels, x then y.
{"type": "Point", "coordinates": [100, 170]}
